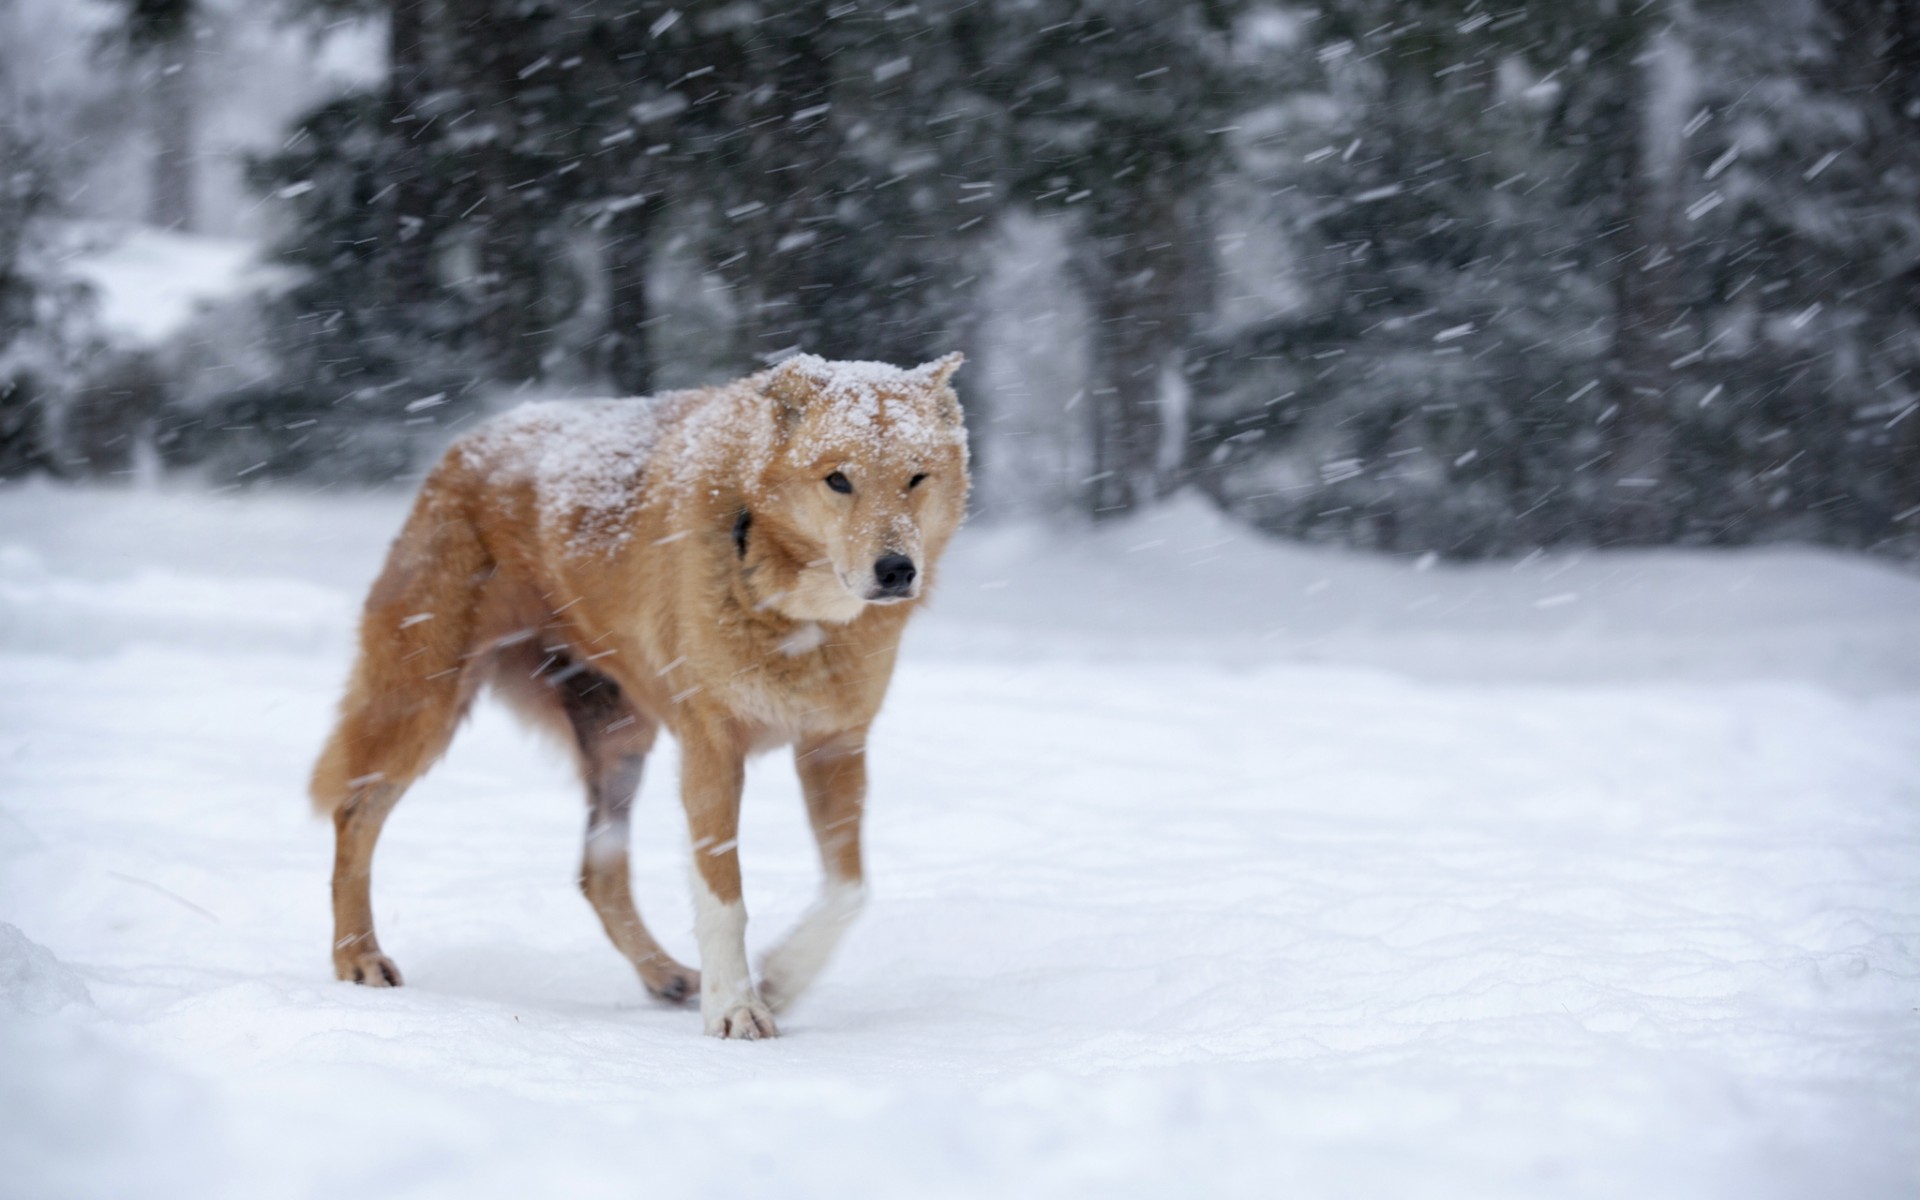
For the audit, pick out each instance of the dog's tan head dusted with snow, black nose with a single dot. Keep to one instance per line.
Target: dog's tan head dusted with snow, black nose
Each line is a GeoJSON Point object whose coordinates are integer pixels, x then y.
{"type": "Point", "coordinates": [867, 485]}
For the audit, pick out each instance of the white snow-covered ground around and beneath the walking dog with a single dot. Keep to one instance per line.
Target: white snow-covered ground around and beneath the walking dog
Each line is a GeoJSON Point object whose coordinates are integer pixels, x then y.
{"type": "Point", "coordinates": [1201, 865]}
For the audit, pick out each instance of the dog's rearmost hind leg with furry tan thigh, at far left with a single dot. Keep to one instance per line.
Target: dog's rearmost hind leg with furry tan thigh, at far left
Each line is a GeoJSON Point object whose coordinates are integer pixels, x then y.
{"type": "Point", "coordinates": [412, 683]}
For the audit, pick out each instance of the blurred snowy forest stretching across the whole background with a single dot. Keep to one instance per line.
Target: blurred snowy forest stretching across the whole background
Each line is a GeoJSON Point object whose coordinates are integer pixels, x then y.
{"type": "Point", "coordinates": [1414, 276]}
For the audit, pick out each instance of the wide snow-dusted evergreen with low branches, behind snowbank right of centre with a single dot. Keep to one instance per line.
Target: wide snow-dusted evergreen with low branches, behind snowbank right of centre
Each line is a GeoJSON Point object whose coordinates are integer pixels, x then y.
{"type": "Point", "coordinates": [1435, 389]}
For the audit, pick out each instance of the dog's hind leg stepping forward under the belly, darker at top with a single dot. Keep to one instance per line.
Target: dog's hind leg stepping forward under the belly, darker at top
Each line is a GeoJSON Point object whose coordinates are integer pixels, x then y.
{"type": "Point", "coordinates": [613, 748]}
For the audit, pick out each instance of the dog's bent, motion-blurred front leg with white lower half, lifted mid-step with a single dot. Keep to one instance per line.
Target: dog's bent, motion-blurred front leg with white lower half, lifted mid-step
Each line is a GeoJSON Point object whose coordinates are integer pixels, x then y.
{"type": "Point", "coordinates": [834, 779]}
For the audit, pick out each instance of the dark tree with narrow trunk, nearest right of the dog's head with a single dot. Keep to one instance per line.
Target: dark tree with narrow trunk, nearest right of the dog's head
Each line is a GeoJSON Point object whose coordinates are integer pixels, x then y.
{"type": "Point", "coordinates": [1116, 114]}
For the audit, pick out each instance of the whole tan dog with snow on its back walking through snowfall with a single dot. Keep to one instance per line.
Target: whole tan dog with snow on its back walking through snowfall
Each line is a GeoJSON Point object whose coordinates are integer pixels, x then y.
{"type": "Point", "coordinates": [734, 564]}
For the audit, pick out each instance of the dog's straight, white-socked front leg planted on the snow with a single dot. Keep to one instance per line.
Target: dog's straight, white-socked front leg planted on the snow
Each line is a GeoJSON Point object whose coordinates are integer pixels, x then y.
{"type": "Point", "coordinates": [711, 777]}
